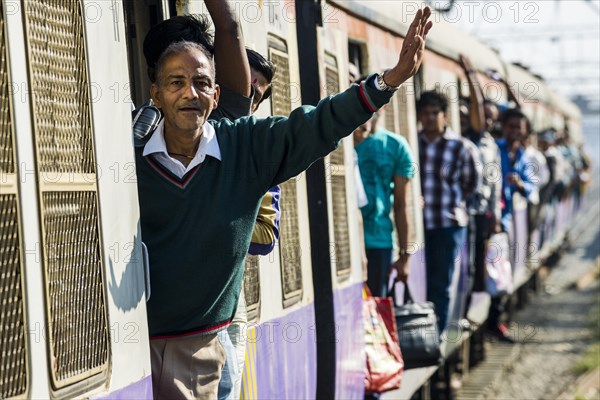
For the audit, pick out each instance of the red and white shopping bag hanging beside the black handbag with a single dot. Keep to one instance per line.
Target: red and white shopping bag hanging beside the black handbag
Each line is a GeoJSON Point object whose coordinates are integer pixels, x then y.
{"type": "Point", "coordinates": [384, 359]}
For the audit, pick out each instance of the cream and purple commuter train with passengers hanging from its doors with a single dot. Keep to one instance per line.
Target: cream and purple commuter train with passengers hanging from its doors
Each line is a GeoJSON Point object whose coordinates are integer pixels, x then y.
{"type": "Point", "coordinates": [73, 268]}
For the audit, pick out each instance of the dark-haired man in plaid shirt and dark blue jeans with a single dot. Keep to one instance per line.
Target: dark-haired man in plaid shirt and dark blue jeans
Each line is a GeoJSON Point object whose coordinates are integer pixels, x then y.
{"type": "Point", "coordinates": [449, 174]}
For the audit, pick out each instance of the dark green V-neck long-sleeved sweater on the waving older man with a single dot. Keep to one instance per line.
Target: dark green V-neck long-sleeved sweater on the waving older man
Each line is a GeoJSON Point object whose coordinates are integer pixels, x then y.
{"type": "Point", "coordinates": [198, 229]}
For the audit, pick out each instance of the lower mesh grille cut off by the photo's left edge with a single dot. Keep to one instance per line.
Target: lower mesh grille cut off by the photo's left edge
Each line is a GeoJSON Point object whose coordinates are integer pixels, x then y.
{"type": "Point", "coordinates": [13, 356]}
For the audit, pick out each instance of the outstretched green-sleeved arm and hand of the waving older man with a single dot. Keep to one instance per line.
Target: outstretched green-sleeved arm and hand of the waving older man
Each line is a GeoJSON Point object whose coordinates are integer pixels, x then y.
{"type": "Point", "coordinates": [282, 147]}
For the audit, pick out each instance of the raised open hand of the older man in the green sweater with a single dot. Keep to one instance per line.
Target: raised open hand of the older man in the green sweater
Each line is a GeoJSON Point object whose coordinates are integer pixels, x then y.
{"type": "Point", "coordinates": [413, 46]}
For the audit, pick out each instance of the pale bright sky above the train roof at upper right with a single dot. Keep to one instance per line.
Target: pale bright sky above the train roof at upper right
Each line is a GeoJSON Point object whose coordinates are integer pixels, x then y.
{"type": "Point", "coordinates": [558, 39]}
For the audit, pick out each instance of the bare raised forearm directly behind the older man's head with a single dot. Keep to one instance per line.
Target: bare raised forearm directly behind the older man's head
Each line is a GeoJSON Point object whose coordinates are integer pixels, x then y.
{"type": "Point", "coordinates": [233, 70]}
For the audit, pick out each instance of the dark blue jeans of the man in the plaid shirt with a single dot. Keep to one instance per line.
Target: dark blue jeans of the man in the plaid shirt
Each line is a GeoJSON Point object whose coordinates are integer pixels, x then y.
{"type": "Point", "coordinates": [442, 249]}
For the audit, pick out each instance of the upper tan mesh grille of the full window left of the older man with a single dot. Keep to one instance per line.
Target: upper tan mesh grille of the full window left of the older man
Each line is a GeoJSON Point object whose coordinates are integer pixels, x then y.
{"type": "Point", "coordinates": [59, 86]}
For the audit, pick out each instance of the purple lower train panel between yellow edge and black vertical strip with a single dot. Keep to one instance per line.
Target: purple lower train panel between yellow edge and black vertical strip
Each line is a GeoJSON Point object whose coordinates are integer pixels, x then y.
{"type": "Point", "coordinates": [286, 356]}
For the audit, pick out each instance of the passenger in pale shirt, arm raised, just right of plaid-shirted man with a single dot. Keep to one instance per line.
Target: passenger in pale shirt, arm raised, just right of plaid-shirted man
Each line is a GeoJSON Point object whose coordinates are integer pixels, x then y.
{"type": "Point", "coordinates": [486, 201]}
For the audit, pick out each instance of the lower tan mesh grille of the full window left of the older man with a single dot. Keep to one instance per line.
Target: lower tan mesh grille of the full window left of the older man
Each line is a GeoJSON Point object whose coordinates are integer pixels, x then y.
{"type": "Point", "coordinates": [77, 334]}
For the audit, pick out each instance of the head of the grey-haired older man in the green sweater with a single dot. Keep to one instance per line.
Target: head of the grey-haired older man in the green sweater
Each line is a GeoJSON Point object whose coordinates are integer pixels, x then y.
{"type": "Point", "coordinates": [186, 92]}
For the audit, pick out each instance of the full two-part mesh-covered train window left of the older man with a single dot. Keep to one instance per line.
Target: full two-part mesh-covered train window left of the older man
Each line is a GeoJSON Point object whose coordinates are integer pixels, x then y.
{"type": "Point", "coordinates": [76, 307]}
